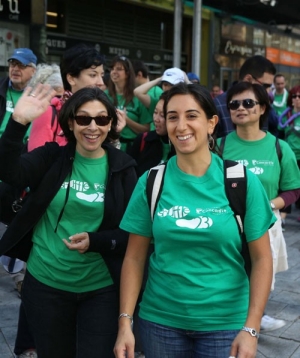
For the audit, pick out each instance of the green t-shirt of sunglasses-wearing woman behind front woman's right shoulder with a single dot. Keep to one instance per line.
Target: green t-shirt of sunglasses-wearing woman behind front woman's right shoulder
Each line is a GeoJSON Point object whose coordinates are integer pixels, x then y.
{"type": "Point", "coordinates": [261, 158]}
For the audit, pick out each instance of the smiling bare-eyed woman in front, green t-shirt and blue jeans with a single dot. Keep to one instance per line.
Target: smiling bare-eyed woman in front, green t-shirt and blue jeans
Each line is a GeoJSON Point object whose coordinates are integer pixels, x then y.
{"type": "Point", "coordinates": [197, 301]}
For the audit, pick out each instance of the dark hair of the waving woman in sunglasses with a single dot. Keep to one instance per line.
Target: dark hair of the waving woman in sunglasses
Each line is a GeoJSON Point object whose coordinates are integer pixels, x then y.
{"type": "Point", "coordinates": [87, 94]}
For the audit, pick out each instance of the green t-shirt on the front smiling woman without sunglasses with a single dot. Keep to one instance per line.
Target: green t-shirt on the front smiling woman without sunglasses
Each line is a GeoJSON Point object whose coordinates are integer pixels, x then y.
{"type": "Point", "coordinates": [197, 279]}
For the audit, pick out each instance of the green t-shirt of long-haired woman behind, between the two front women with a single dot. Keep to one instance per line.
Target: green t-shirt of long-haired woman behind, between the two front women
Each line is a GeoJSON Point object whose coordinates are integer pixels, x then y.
{"type": "Point", "coordinates": [136, 111]}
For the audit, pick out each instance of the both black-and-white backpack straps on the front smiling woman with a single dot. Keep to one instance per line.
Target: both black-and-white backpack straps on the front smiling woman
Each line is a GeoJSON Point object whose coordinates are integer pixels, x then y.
{"type": "Point", "coordinates": [235, 180]}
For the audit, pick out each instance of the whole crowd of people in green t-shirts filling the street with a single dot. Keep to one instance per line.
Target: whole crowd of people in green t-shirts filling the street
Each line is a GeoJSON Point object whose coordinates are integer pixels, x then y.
{"type": "Point", "coordinates": [118, 264]}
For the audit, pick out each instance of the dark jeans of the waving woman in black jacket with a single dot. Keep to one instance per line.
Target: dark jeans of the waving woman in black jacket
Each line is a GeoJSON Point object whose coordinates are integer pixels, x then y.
{"type": "Point", "coordinates": [68, 325]}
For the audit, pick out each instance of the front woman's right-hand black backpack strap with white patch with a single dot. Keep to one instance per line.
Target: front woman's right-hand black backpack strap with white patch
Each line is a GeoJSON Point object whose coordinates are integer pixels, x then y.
{"type": "Point", "coordinates": [236, 191]}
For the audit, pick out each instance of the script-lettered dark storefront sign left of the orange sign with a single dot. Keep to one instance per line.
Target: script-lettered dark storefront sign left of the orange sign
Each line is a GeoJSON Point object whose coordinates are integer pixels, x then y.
{"type": "Point", "coordinates": [240, 49]}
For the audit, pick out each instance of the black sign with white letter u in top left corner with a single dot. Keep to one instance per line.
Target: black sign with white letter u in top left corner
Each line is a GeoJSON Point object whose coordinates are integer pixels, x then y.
{"type": "Point", "coordinates": [15, 10]}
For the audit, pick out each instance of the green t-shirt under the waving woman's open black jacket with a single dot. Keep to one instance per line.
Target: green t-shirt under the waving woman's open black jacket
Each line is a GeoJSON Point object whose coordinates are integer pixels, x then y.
{"type": "Point", "coordinates": [50, 261]}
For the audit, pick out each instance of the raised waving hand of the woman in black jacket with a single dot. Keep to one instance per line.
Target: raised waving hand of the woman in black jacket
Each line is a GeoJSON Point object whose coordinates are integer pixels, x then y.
{"type": "Point", "coordinates": [33, 103]}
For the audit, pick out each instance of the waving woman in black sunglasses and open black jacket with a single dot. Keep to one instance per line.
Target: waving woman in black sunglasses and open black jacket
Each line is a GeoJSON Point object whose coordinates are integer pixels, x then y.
{"type": "Point", "coordinates": [68, 230]}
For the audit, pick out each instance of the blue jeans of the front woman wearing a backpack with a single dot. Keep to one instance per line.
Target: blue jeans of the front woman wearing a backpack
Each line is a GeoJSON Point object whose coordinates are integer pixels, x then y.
{"type": "Point", "coordinates": [167, 342]}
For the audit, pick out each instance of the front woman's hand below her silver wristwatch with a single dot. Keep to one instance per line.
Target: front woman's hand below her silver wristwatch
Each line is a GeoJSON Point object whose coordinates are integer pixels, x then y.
{"type": "Point", "coordinates": [244, 346]}
